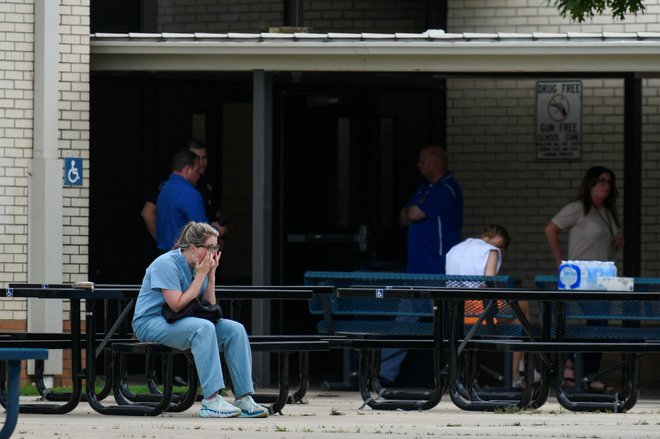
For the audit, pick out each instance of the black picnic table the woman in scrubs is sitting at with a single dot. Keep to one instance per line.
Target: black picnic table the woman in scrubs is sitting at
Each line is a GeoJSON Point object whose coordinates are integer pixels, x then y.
{"type": "Point", "coordinates": [96, 343]}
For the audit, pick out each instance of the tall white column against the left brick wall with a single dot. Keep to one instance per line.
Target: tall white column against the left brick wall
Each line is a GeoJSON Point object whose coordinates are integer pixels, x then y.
{"type": "Point", "coordinates": [45, 179]}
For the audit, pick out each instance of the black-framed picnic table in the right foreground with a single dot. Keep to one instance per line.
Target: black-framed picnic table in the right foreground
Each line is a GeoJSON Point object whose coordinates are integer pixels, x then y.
{"type": "Point", "coordinates": [451, 343]}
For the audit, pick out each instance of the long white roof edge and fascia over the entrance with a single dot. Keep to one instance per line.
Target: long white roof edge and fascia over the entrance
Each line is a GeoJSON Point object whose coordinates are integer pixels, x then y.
{"type": "Point", "coordinates": [431, 51]}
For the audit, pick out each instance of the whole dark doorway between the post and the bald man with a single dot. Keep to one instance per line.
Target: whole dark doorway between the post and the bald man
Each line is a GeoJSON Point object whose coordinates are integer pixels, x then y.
{"type": "Point", "coordinates": [348, 154]}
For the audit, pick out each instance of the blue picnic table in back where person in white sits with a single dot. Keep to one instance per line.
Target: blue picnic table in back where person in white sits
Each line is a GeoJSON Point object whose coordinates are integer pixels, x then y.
{"type": "Point", "coordinates": [369, 325]}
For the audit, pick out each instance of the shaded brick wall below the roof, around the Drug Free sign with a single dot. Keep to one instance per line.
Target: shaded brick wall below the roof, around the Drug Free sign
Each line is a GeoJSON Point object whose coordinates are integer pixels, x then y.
{"type": "Point", "coordinates": [491, 138]}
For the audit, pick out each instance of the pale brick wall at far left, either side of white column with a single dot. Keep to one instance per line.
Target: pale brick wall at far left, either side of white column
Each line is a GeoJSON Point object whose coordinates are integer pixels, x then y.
{"type": "Point", "coordinates": [16, 142]}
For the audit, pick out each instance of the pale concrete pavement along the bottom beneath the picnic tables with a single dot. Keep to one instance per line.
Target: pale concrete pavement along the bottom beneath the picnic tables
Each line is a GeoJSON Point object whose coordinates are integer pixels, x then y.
{"type": "Point", "coordinates": [337, 415]}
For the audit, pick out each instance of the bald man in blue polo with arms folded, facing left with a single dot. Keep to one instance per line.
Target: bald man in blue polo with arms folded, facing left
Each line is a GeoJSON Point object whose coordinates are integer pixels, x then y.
{"type": "Point", "coordinates": [434, 217]}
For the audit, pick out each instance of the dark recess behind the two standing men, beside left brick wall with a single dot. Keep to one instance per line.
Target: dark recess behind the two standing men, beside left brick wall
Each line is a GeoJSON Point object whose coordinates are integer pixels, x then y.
{"type": "Point", "coordinates": [137, 122]}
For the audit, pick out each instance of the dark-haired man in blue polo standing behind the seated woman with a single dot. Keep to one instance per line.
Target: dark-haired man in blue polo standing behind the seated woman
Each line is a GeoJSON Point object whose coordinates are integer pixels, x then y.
{"type": "Point", "coordinates": [179, 202]}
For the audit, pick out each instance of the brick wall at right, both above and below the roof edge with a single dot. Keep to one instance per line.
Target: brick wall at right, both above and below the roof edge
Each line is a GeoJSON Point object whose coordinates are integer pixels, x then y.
{"type": "Point", "coordinates": [491, 136]}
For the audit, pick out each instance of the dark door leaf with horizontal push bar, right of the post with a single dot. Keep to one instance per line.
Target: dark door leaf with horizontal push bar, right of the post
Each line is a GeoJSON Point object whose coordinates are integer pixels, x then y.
{"type": "Point", "coordinates": [328, 175]}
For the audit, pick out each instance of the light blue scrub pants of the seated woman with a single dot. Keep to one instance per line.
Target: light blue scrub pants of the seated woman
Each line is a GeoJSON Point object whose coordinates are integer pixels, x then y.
{"type": "Point", "coordinates": [205, 340]}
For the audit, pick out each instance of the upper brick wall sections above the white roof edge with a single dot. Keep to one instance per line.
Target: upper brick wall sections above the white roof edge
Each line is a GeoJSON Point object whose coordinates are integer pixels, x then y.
{"type": "Point", "coordinates": [385, 16]}
